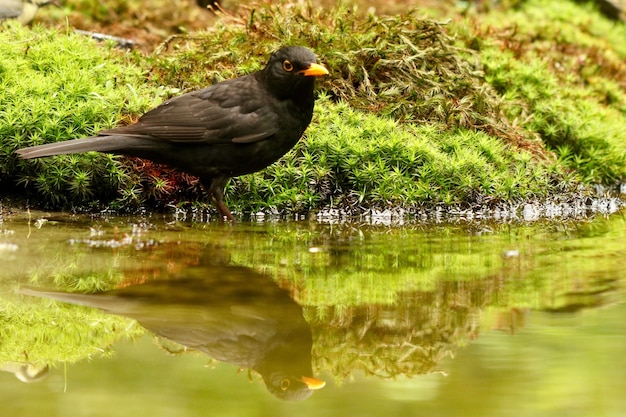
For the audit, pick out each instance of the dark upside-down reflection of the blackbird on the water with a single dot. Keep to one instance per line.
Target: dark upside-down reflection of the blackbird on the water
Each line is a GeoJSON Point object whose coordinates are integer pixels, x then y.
{"type": "Point", "coordinates": [231, 313]}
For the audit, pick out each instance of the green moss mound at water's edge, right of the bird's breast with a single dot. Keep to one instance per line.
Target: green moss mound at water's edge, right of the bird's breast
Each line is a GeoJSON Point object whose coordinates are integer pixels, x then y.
{"type": "Point", "coordinates": [353, 160]}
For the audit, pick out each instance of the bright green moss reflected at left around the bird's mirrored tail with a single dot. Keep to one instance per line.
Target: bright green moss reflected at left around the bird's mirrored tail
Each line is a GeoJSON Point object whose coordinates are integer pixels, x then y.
{"type": "Point", "coordinates": [42, 332]}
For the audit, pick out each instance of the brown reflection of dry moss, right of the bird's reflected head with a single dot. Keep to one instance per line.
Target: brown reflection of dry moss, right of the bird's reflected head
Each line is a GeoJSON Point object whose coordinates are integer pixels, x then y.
{"type": "Point", "coordinates": [407, 338]}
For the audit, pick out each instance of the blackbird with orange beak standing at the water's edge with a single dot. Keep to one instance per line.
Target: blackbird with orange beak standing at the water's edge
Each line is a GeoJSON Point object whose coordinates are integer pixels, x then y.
{"type": "Point", "coordinates": [232, 128]}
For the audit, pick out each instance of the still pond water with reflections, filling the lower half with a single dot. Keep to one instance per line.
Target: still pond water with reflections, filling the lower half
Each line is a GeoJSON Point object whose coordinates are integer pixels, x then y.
{"type": "Point", "coordinates": [310, 318]}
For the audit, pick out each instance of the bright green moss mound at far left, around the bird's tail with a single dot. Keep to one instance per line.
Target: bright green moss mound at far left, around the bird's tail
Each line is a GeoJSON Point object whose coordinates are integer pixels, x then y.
{"type": "Point", "coordinates": [55, 87]}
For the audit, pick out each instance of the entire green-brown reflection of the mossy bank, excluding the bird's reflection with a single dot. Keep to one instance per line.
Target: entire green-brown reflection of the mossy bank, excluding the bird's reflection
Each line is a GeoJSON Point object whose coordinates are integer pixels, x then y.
{"type": "Point", "coordinates": [386, 301]}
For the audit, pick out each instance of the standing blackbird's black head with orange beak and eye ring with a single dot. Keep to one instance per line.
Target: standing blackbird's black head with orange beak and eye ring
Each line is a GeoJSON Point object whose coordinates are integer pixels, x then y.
{"type": "Point", "coordinates": [291, 71]}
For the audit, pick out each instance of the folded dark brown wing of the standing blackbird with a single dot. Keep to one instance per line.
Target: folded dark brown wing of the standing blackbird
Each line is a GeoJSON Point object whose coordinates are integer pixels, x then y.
{"type": "Point", "coordinates": [237, 110]}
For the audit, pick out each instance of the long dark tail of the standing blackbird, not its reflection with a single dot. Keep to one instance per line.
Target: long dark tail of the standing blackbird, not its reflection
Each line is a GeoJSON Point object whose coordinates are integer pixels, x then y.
{"type": "Point", "coordinates": [94, 143]}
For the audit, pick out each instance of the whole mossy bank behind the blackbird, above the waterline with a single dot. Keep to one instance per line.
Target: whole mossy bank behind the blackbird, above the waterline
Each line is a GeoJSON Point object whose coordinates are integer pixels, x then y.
{"type": "Point", "coordinates": [507, 106]}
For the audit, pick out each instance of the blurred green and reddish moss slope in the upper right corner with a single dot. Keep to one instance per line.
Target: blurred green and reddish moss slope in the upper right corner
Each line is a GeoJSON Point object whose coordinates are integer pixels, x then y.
{"type": "Point", "coordinates": [560, 68]}
